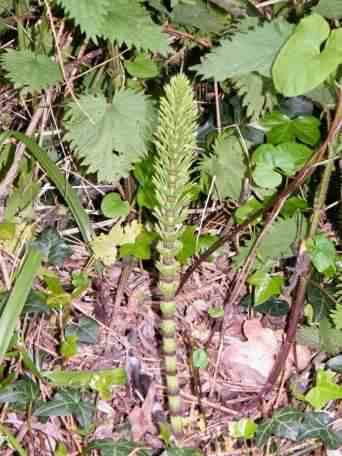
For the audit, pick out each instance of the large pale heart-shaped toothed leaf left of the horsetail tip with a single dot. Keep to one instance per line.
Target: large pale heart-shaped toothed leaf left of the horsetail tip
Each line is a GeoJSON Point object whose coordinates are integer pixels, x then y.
{"type": "Point", "coordinates": [109, 137]}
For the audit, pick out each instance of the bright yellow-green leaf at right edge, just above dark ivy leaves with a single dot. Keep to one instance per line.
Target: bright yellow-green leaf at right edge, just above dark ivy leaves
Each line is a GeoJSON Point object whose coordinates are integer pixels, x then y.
{"type": "Point", "coordinates": [324, 391]}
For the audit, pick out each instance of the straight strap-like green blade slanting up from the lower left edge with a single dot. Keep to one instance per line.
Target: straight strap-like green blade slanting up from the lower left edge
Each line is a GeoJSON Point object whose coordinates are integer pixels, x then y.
{"type": "Point", "coordinates": [17, 298]}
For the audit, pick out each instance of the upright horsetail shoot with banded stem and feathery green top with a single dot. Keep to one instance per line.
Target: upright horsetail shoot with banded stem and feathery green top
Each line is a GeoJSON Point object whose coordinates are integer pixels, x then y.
{"type": "Point", "coordinates": [175, 142]}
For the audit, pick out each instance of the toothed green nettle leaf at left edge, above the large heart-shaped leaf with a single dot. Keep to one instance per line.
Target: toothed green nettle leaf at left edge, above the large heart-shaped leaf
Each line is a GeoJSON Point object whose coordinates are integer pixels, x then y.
{"type": "Point", "coordinates": [30, 70]}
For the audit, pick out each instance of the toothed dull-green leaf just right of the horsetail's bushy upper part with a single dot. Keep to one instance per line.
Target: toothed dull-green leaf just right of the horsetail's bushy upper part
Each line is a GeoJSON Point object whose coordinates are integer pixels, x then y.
{"type": "Point", "coordinates": [228, 165]}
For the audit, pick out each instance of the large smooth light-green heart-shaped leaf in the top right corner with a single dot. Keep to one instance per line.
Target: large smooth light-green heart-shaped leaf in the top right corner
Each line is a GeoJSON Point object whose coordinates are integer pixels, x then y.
{"type": "Point", "coordinates": [300, 65]}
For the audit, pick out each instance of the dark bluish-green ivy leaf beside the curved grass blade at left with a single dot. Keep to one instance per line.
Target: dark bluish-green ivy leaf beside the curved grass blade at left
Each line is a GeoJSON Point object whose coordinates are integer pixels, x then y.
{"type": "Point", "coordinates": [55, 249]}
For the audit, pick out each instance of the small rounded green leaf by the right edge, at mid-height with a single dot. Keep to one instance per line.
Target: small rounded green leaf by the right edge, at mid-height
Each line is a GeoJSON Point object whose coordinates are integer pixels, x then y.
{"type": "Point", "coordinates": [322, 253]}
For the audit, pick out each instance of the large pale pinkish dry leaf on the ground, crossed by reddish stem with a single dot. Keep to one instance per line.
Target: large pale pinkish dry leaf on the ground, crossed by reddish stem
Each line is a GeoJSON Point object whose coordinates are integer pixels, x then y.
{"type": "Point", "coordinates": [250, 362]}
